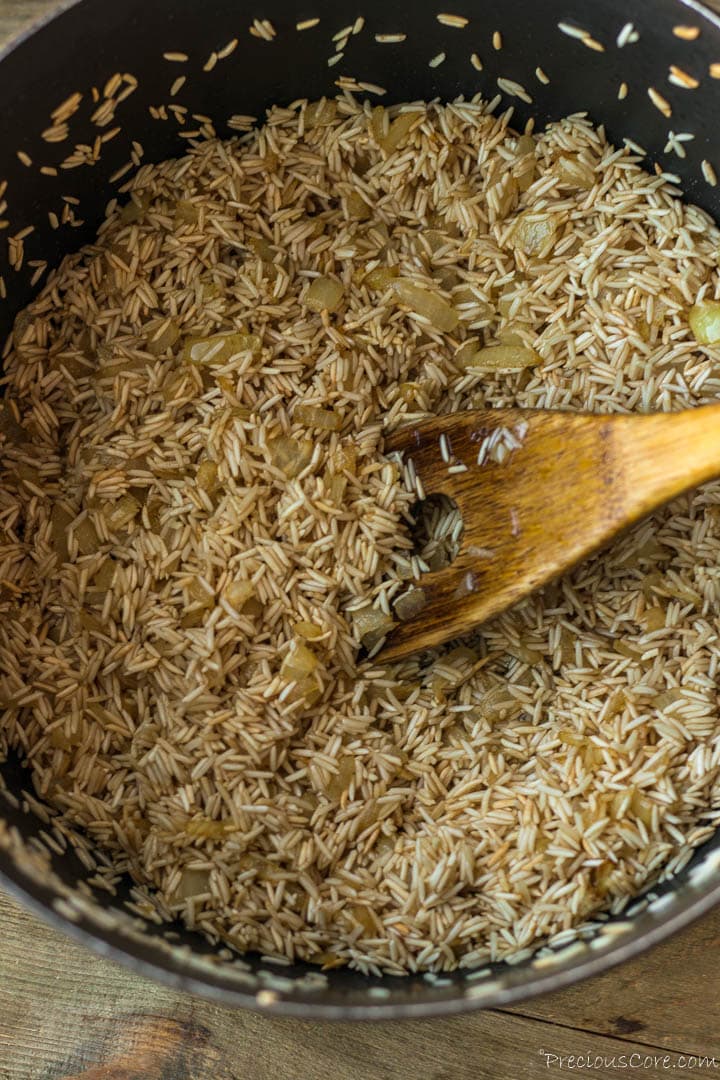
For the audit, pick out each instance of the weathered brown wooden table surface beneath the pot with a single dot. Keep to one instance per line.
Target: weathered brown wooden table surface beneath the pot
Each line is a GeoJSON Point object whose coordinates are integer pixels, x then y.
{"type": "Point", "coordinates": [66, 1014]}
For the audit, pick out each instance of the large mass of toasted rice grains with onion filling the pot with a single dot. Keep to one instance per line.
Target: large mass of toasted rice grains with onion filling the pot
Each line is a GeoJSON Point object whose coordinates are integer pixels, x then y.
{"type": "Point", "coordinates": [184, 541]}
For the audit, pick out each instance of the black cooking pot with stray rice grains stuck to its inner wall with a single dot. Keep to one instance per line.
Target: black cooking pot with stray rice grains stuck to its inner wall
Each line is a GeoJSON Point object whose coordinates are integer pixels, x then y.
{"type": "Point", "coordinates": [83, 48]}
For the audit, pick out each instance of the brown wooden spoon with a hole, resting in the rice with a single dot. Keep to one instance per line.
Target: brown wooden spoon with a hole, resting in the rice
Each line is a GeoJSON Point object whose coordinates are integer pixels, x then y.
{"type": "Point", "coordinates": [576, 481]}
